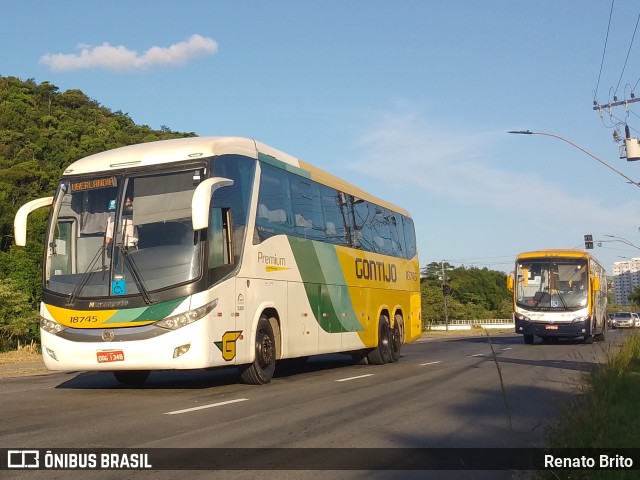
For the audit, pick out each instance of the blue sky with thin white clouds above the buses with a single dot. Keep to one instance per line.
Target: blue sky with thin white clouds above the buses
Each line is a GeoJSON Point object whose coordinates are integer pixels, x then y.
{"type": "Point", "coordinates": [409, 99]}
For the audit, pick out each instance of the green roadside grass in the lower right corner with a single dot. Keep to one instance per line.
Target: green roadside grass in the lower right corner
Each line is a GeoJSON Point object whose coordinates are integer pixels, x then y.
{"type": "Point", "coordinates": [604, 416]}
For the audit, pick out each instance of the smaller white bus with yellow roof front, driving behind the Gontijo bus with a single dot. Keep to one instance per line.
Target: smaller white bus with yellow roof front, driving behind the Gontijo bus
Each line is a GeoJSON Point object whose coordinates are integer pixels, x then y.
{"type": "Point", "coordinates": [559, 293]}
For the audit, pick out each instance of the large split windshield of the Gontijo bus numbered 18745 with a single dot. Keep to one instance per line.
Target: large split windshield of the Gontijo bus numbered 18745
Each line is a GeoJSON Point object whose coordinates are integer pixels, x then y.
{"type": "Point", "coordinates": [116, 235]}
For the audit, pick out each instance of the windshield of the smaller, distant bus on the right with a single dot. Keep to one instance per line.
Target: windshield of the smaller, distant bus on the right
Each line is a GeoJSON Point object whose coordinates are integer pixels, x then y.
{"type": "Point", "coordinates": [551, 284]}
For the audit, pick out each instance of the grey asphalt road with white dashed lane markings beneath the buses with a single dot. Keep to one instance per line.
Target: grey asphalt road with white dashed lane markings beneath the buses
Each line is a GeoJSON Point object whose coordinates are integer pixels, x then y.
{"type": "Point", "coordinates": [444, 392]}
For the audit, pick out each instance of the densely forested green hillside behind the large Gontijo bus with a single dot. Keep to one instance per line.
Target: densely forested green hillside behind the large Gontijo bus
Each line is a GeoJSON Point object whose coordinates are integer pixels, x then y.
{"type": "Point", "coordinates": [43, 130]}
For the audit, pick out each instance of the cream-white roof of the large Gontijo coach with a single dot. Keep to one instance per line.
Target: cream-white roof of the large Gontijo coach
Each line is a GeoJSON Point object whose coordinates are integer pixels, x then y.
{"type": "Point", "coordinates": [182, 149]}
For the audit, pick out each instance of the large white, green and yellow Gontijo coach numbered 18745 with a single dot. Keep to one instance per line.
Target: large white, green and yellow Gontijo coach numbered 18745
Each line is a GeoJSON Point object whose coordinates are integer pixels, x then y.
{"type": "Point", "coordinates": [216, 251]}
